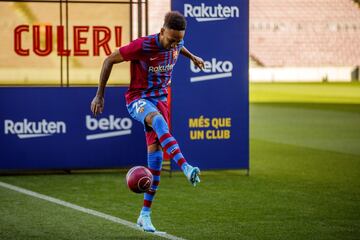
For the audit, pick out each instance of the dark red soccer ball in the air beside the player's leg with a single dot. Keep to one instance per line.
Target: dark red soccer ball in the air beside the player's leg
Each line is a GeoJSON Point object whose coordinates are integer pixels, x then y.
{"type": "Point", "coordinates": [139, 179]}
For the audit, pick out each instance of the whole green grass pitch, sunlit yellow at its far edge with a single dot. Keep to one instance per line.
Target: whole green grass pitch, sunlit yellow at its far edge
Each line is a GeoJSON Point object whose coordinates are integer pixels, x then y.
{"type": "Point", "coordinates": [304, 182]}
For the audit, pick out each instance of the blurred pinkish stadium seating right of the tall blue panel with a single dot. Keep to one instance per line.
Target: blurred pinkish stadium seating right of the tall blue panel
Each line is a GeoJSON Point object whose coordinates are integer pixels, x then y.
{"type": "Point", "coordinates": [304, 33]}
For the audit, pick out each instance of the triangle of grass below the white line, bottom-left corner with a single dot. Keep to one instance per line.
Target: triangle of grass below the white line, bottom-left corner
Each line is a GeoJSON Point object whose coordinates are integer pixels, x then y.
{"type": "Point", "coordinates": [25, 217]}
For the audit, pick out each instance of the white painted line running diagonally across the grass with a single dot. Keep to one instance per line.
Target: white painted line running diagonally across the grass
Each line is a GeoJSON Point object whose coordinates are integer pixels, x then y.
{"type": "Point", "coordinates": [84, 210]}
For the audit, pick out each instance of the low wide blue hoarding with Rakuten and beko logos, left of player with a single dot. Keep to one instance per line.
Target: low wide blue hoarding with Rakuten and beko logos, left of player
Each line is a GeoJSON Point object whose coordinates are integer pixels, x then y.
{"type": "Point", "coordinates": [52, 128]}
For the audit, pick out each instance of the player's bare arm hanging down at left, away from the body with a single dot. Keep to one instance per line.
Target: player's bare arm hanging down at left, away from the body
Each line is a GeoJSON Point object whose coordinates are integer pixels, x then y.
{"type": "Point", "coordinates": [97, 104]}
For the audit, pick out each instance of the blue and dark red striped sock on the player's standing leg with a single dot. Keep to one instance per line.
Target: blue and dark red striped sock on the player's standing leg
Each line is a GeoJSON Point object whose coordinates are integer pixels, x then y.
{"type": "Point", "coordinates": [154, 164]}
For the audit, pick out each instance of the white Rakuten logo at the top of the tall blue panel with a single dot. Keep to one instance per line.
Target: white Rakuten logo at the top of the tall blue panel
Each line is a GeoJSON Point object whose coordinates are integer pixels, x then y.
{"type": "Point", "coordinates": [205, 13]}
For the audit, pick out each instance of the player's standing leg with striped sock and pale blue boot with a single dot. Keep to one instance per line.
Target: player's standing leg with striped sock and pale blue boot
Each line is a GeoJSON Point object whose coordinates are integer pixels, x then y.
{"type": "Point", "coordinates": [155, 158]}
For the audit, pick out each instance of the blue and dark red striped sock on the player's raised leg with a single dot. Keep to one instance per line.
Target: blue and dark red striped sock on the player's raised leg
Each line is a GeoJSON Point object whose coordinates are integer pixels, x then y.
{"type": "Point", "coordinates": [167, 141]}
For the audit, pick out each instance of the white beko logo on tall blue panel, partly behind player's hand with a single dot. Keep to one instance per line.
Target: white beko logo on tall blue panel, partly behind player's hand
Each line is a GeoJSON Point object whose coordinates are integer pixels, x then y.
{"type": "Point", "coordinates": [215, 69]}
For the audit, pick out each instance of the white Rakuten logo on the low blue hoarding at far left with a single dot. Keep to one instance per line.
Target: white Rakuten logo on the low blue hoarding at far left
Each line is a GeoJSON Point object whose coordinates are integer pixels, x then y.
{"type": "Point", "coordinates": [28, 129]}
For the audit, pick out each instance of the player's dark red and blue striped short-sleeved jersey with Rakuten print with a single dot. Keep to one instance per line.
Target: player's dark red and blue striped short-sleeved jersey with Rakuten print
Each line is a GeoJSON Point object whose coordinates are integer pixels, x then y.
{"type": "Point", "coordinates": [150, 68]}
